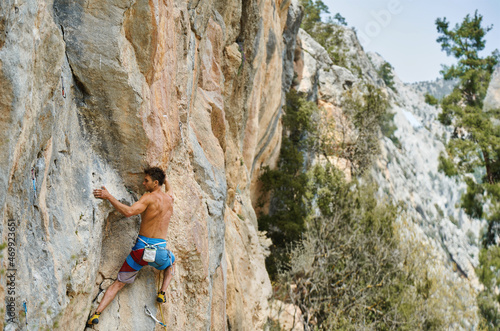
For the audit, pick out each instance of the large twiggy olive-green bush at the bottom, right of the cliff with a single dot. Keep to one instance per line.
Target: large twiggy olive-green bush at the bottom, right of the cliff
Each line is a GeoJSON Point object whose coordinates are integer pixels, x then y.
{"type": "Point", "coordinates": [348, 272]}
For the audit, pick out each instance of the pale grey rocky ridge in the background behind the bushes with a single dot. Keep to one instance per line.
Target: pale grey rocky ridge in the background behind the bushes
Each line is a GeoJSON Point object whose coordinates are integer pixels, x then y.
{"type": "Point", "coordinates": [407, 170]}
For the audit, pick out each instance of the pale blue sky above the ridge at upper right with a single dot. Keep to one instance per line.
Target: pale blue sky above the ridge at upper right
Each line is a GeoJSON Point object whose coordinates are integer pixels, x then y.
{"type": "Point", "coordinates": [404, 31]}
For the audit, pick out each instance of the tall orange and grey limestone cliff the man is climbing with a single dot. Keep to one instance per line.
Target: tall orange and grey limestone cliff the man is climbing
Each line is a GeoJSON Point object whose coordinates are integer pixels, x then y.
{"type": "Point", "coordinates": [91, 92]}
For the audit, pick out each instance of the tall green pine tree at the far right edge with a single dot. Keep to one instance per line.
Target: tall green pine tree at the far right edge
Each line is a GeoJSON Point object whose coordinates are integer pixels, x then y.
{"type": "Point", "coordinates": [475, 145]}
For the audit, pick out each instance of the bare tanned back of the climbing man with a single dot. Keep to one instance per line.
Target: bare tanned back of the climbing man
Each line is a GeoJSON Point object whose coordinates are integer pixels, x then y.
{"type": "Point", "coordinates": [156, 217]}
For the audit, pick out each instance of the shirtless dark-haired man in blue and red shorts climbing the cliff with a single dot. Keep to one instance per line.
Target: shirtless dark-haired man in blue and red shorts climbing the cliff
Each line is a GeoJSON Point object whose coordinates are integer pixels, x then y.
{"type": "Point", "coordinates": [156, 208]}
